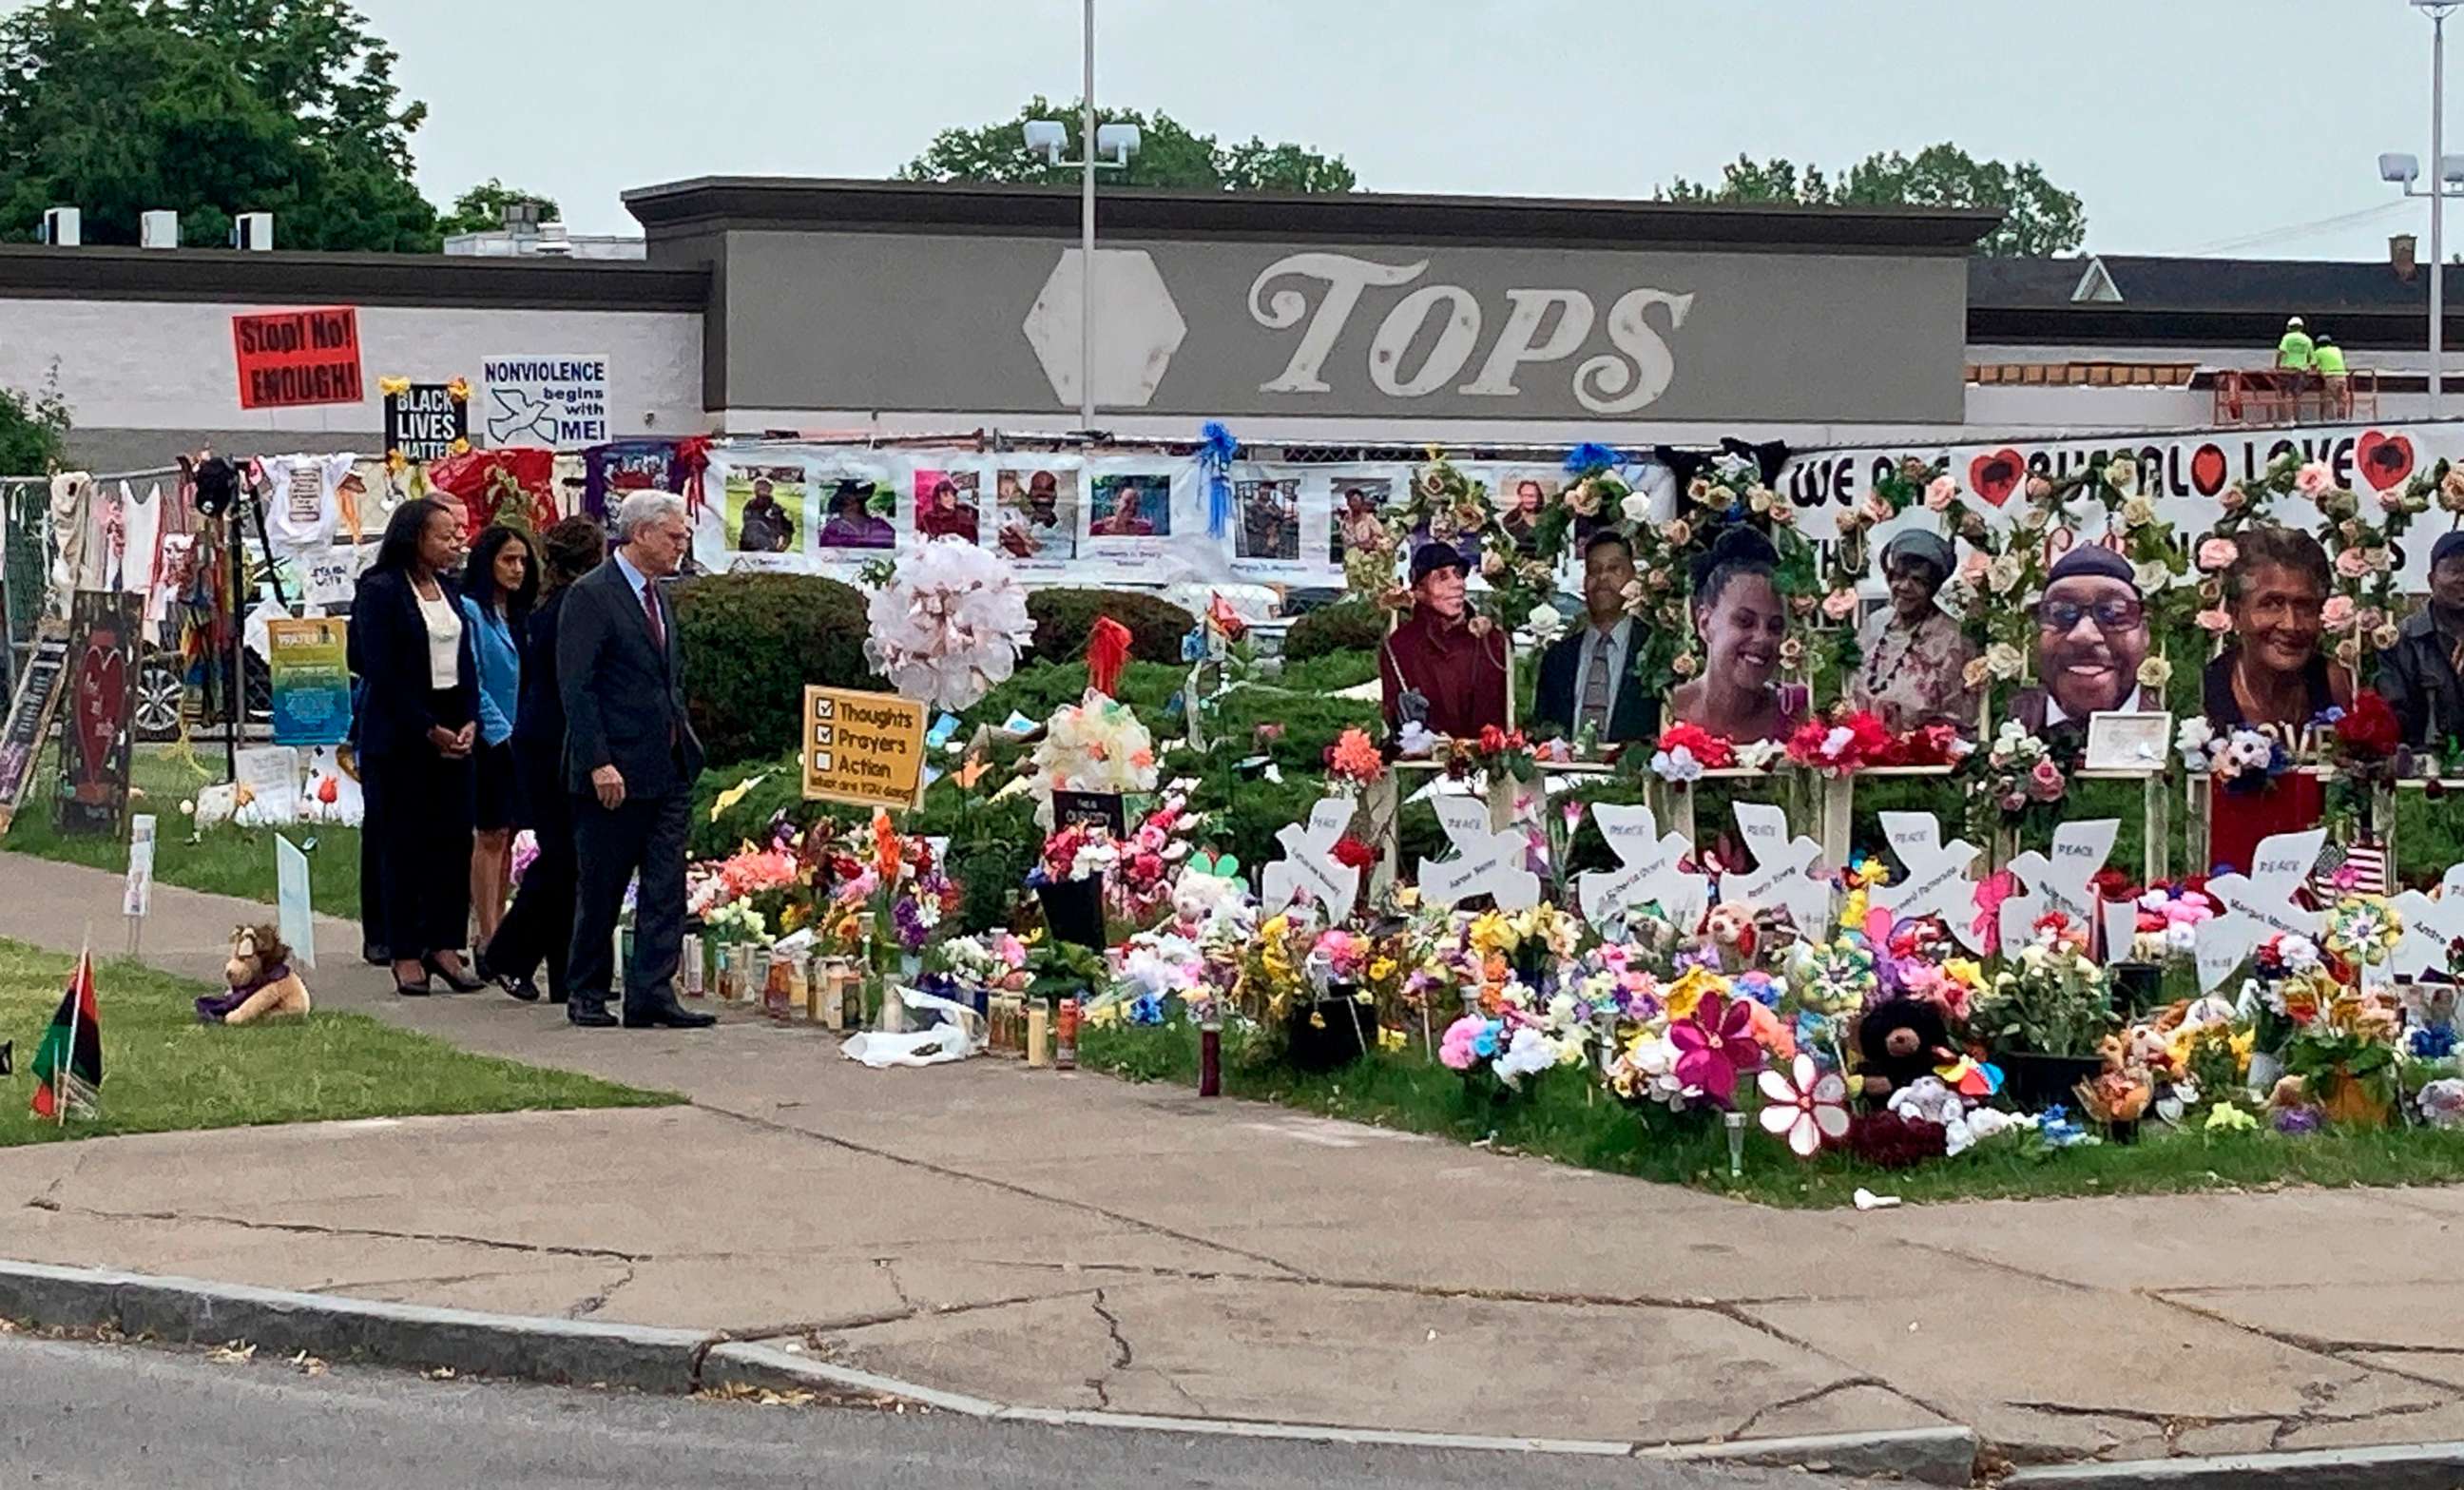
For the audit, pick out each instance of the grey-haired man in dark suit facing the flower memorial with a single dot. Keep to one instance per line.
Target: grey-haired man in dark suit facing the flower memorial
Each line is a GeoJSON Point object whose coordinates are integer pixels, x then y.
{"type": "Point", "coordinates": [630, 760]}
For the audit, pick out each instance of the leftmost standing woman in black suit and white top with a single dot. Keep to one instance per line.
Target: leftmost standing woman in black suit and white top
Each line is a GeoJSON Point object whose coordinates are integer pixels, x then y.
{"type": "Point", "coordinates": [418, 728]}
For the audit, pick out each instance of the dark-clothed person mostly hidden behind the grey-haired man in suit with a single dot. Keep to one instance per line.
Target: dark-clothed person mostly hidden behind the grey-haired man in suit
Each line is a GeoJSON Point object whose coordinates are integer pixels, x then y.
{"type": "Point", "coordinates": [541, 925]}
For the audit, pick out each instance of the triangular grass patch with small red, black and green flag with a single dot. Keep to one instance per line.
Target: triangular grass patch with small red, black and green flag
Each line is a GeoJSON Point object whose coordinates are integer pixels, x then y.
{"type": "Point", "coordinates": [166, 1073]}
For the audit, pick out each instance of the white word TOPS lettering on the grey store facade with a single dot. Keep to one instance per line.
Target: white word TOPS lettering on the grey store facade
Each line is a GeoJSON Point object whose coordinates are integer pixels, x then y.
{"type": "Point", "coordinates": [1608, 383]}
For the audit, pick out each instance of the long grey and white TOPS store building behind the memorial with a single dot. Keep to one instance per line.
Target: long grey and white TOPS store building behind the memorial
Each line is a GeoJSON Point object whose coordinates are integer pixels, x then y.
{"type": "Point", "coordinates": [881, 309]}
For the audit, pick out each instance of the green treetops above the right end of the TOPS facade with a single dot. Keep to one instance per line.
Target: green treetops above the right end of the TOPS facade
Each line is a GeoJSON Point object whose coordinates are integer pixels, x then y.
{"type": "Point", "coordinates": [2039, 218]}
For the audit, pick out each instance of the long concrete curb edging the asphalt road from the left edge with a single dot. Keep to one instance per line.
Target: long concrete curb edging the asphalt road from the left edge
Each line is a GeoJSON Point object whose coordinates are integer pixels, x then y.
{"type": "Point", "coordinates": [647, 1358]}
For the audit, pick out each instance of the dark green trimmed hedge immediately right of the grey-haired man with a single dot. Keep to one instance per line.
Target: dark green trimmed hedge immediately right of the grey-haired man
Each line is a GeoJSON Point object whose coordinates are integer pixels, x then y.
{"type": "Point", "coordinates": [753, 642]}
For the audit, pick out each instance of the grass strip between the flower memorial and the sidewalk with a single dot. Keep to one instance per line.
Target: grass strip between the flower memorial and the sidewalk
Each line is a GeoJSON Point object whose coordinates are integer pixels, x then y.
{"type": "Point", "coordinates": [1568, 1119]}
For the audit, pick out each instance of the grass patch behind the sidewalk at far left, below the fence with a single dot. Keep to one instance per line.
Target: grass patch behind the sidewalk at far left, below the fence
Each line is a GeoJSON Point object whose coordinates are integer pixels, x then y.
{"type": "Point", "coordinates": [228, 861]}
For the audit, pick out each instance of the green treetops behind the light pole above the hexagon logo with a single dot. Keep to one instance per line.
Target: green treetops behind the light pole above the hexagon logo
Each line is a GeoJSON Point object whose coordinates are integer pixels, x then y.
{"type": "Point", "coordinates": [1169, 156]}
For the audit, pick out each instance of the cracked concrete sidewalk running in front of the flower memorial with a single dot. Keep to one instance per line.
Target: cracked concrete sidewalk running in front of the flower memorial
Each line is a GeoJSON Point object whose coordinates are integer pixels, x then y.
{"type": "Point", "coordinates": [1078, 1242]}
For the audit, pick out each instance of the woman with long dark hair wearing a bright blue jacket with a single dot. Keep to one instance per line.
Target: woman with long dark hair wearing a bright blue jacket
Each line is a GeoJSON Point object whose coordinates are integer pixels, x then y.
{"type": "Point", "coordinates": [499, 587]}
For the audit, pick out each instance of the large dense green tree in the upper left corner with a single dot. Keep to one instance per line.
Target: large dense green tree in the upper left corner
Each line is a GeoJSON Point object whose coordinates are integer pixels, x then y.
{"type": "Point", "coordinates": [208, 107]}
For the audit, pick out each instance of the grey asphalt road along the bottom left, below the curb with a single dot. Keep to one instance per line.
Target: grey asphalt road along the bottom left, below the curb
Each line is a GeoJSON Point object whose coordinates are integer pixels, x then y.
{"type": "Point", "coordinates": [110, 1417]}
